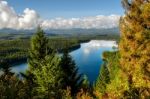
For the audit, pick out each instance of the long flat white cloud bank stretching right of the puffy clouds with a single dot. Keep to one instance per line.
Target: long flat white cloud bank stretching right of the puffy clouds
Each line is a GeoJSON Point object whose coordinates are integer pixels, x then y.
{"type": "Point", "coordinates": [99, 21]}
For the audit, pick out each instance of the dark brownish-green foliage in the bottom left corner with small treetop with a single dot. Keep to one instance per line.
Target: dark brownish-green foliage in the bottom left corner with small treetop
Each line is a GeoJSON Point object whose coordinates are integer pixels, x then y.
{"type": "Point", "coordinates": [10, 86]}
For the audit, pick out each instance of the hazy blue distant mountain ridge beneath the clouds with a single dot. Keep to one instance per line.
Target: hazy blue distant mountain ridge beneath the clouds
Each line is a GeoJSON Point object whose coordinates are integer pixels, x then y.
{"type": "Point", "coordinates": [66, 31]}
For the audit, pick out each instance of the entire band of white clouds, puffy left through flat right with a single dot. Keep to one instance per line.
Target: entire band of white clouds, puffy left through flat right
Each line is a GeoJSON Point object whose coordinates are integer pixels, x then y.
{"type": "Point", "coordinates": [30, 19]}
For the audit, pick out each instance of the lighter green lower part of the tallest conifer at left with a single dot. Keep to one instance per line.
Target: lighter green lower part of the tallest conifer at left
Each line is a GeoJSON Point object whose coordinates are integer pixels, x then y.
{"type": "Point", "coordinates": [48, 78]}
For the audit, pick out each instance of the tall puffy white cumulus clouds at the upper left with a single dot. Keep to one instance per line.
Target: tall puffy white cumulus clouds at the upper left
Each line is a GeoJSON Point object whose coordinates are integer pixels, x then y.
{"type": "Point", "coordinates": [10, 19]}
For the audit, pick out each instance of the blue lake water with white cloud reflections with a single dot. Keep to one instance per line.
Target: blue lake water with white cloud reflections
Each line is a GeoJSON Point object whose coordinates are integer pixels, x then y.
{"type": "Point", "coordinates": [87, 58]}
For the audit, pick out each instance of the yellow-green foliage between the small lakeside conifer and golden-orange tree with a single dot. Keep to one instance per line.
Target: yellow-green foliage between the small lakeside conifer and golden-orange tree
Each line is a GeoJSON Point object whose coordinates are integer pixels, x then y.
{"type": "Point", "coordinates": [118, 79]}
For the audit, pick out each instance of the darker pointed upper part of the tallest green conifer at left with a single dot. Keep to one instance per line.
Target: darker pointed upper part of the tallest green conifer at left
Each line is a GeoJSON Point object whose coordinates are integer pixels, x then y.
{"type": "Point", "coordinates": [39, 49]}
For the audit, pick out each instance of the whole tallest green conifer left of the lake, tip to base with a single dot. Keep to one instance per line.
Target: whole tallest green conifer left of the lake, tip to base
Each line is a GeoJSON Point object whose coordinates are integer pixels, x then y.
{"type": "Point", "coordinates": [44, 68]}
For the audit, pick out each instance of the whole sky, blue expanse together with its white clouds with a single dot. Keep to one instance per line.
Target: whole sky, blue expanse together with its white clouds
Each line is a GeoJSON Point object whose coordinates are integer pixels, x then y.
{"type": "Point", "coordinates": [56, 14]}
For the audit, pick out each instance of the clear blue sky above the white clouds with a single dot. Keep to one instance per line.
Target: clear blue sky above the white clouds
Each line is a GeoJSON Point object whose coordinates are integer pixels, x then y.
{"type": "Point", "coordinates": [69, 8]}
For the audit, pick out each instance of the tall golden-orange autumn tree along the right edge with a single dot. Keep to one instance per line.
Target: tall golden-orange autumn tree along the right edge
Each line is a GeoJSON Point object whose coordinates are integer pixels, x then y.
{"type": "Point", "coordinates": [135, 45]}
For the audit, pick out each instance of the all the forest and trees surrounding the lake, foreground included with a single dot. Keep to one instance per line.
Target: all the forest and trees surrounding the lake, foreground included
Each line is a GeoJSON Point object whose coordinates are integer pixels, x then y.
{"type": "Point", "coordinates": [125, 73]}
